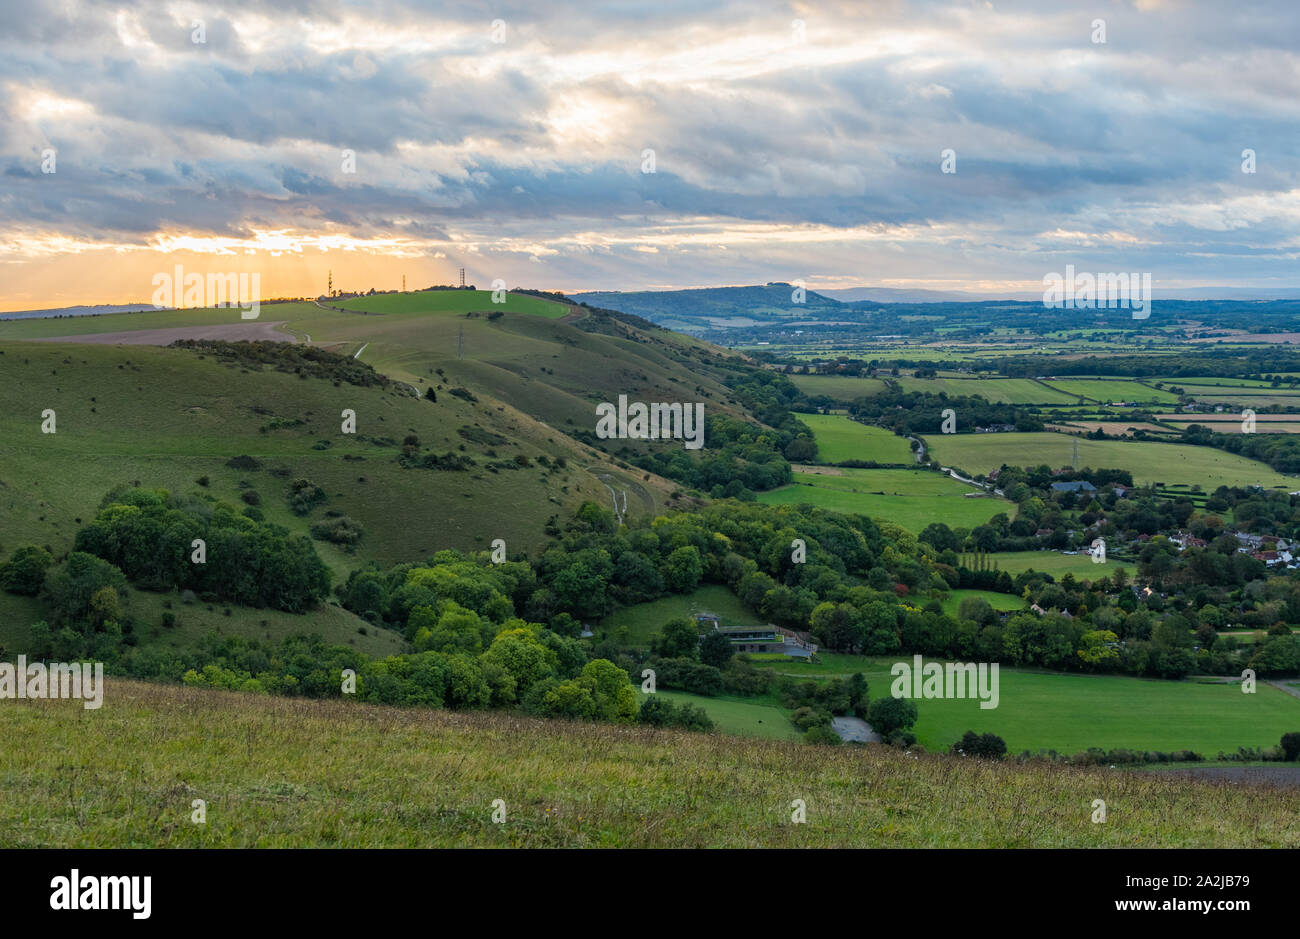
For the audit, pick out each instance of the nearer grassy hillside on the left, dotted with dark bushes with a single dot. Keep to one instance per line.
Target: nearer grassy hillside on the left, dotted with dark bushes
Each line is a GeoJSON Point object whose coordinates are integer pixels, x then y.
{"type": "Point", "coordinates": [168, 418]}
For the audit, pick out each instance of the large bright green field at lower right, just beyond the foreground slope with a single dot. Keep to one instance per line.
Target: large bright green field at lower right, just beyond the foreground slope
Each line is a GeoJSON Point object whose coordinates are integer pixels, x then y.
{"type": "Point", "coordinates": [1071, 713]}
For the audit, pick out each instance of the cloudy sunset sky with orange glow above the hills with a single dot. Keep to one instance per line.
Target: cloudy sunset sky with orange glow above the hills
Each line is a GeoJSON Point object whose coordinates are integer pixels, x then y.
{"type": "Point", "coordinates": [788, 142]}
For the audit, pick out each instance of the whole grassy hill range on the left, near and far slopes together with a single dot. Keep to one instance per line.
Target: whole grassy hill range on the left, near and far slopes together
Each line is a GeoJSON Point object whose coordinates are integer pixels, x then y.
{"type": "Point", "coordinates": [170, 417]}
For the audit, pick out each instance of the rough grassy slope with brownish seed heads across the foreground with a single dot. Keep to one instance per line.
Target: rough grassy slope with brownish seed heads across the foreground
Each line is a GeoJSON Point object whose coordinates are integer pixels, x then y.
{"type": "Point", "coordinates": [283, 772]}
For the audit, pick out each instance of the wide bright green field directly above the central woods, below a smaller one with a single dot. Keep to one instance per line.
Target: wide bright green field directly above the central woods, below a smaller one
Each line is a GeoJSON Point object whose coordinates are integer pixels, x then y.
{"type": "Point", "coordinates": [912, 499]}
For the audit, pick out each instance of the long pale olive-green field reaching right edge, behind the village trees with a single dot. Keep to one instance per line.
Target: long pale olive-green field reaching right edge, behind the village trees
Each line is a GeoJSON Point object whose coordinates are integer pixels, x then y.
{"type": "Point", "coordinates": [1150, 462]}
